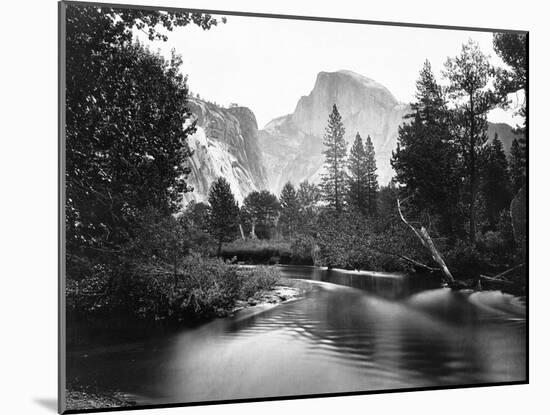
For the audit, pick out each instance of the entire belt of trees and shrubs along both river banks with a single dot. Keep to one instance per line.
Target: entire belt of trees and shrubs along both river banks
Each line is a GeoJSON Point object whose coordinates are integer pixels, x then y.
{"type": "Point", "coordinates": [132, 252]}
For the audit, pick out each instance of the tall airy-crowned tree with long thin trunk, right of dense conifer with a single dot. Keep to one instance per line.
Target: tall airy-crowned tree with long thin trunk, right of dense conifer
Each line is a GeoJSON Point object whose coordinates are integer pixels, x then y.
{"type": "Point", "coordinates": [469, 74]}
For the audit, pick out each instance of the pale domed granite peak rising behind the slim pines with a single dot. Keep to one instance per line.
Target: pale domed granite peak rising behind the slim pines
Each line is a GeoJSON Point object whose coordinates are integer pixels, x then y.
{"type": "Point", "coordinates": [292, 144]}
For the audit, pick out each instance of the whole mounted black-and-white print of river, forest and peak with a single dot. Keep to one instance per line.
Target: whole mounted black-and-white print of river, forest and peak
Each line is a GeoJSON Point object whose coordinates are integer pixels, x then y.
{"type": "Point", "coordinates": [259, 207]}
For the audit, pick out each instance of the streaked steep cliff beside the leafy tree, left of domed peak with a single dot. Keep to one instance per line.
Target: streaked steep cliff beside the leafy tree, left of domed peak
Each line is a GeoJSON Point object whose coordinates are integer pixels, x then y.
{"type": "Point", "coordinates": [225, 144]}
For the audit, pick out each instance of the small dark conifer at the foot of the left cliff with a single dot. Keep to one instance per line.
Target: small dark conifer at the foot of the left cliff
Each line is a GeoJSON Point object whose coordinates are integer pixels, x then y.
{"type": "Point", "coordinates": [224, 213]}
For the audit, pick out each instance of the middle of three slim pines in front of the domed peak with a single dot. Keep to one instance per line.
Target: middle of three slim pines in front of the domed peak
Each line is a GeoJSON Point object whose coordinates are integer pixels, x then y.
{"type": "Point", "coordinates": [357, 177]}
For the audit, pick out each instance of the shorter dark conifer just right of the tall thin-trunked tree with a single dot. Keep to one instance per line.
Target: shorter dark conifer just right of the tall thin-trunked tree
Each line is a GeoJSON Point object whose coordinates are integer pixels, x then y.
{"type": "Point", "coordinates": [495, 184]}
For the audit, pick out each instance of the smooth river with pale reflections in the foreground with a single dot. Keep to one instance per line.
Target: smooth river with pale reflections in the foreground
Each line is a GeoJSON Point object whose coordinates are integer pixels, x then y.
{"type": "Point", "coordinates": [351, 332]}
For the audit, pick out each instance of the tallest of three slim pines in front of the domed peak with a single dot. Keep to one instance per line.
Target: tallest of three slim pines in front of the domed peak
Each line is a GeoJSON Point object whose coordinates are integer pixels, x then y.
{"type": "Point", "coordinates": [334, 179]}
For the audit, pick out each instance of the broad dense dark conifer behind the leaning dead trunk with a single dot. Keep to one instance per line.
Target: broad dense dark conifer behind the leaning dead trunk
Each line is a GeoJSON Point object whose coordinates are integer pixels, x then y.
{"type": "Point", "coordinates": [425, 161]}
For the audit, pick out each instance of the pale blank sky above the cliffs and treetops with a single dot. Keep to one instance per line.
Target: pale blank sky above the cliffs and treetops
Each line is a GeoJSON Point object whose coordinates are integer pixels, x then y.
{"type": "Point", "coordinates": [268, 64]}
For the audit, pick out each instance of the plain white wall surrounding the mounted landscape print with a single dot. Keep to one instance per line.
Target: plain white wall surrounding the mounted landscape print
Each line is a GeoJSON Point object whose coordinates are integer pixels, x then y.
{"type": "Point", "coordinates": [28, 222]}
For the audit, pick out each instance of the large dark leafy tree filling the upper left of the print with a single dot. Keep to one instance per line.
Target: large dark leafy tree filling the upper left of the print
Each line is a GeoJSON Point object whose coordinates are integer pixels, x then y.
{"type": "Point", "coordinates": [126, 124]}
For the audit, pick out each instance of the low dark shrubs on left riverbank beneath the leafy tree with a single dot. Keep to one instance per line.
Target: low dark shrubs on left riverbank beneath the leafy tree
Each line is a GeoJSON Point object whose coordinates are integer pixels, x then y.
{"type": "Point", "coordinates": [202, 288]}
